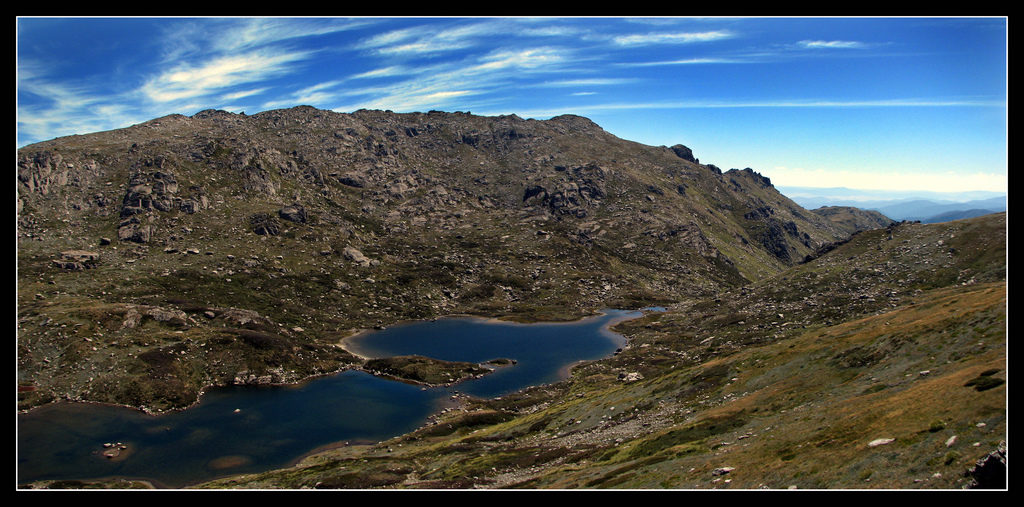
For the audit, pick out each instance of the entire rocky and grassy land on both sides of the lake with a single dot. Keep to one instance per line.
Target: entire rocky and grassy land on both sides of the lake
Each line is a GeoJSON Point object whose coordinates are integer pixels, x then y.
{"type": "Point", "coordinates": [796, 352]}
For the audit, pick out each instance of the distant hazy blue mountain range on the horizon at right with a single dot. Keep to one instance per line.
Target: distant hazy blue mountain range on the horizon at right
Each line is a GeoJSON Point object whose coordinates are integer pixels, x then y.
{"type": "Point", "coordinates": [929, 207]}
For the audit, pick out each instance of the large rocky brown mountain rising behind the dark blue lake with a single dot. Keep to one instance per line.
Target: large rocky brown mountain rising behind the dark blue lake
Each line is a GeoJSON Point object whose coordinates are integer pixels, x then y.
{"type": "Point", "coordinates": [222, 248]}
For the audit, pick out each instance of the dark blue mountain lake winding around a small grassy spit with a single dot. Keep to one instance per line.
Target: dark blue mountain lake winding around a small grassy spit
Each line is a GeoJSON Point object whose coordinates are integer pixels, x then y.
{"type": "Point", "coordinates": [245, 430]}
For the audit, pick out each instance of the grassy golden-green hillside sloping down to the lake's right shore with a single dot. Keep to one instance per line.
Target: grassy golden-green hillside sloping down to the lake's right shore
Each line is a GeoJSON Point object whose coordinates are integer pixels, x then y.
{"type": "Point", "coordinates": [756, 393]}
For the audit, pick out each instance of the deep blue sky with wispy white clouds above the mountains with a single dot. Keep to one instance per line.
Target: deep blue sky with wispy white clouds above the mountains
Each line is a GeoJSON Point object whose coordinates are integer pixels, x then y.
{"type": "Point", "coordinates": [876, 103]}
